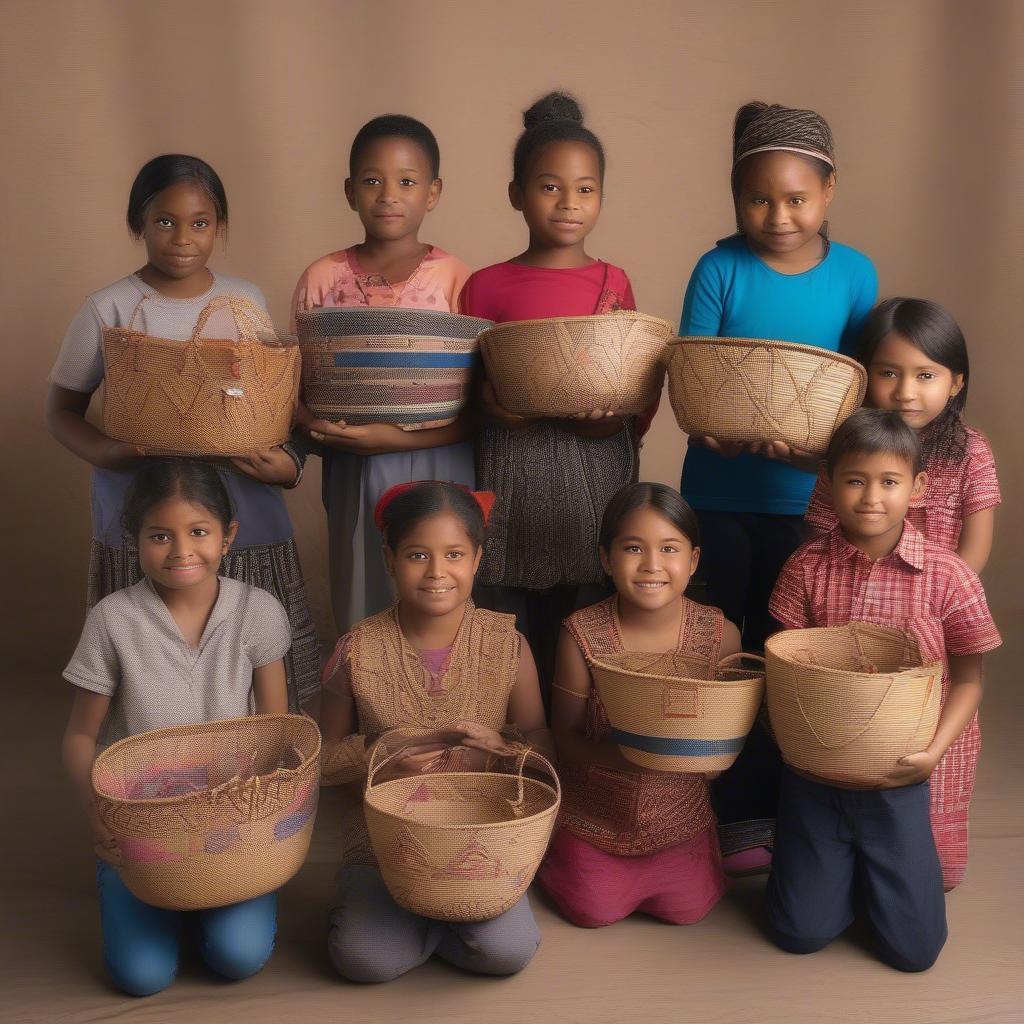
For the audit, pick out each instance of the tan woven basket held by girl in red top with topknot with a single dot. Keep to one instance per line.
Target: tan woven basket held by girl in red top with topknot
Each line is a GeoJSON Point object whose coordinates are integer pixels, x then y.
{"type": "Point", "coordinates": [569, 366]}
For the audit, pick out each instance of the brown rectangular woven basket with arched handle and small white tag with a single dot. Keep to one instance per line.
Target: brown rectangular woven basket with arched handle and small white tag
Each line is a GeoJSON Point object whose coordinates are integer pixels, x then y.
{"type": "Point", "coordinates": [204, 398]}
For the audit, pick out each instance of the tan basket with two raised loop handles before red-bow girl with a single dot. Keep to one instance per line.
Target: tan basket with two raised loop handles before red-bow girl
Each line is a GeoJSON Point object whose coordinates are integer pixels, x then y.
{"type": "Point", "coordinates": [460, 846]}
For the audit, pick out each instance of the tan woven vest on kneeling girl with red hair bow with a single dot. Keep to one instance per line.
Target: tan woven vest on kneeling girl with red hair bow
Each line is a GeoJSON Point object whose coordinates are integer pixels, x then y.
{"type": "Point", "coordinates": [393, 689]}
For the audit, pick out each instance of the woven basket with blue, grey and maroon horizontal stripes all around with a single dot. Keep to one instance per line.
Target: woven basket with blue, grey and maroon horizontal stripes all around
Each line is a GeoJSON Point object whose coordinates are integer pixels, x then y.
{"type": "Point", "coordinates": [407, 367]}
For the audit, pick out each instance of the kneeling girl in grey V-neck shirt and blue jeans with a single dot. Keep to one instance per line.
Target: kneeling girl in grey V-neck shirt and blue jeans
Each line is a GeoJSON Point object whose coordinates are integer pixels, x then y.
{"type": "Point", "coordinates": [181, 647]}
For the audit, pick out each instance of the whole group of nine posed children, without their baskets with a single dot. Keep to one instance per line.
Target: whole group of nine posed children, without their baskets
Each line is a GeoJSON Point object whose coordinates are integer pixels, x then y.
{"type": "Point", "coordinates": [472, 616]}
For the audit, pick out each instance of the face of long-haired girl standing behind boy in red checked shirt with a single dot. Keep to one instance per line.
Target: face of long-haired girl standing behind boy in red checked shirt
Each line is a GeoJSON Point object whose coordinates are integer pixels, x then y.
{"type": "Point", "coordinates": [902, 377]}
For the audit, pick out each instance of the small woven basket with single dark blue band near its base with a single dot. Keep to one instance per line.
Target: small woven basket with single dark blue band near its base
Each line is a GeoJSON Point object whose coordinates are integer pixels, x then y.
{"type": "Point", "coordinates": [674, 714]}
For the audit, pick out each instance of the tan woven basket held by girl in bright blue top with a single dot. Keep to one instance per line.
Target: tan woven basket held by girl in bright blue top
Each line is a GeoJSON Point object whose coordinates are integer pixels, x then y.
{"type": "Point", "coordinates": [747, 390]}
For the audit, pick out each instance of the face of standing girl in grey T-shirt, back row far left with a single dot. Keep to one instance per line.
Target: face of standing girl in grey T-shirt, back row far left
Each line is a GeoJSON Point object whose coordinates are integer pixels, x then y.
{"type": "Point", "coordinates": [180, 231]}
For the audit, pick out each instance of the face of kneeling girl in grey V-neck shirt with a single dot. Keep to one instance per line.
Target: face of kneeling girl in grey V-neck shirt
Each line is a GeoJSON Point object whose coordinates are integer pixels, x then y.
{"type": "Point", "coordinates": [181, 545]}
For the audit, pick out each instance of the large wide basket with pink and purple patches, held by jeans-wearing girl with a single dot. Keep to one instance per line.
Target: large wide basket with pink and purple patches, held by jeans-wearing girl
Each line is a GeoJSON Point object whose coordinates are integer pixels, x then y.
{"type": "Point", "coordinates": [211, 815]}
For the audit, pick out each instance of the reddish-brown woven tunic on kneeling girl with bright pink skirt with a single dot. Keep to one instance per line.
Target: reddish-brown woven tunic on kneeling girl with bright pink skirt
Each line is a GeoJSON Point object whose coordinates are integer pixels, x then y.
{"type": "Point", "coordinates": [631, 814]}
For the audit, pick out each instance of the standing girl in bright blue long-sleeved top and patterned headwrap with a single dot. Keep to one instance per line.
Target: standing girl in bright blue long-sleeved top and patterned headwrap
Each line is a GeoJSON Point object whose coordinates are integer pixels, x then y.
{"type": "Point", "coordinates": [780, 278]}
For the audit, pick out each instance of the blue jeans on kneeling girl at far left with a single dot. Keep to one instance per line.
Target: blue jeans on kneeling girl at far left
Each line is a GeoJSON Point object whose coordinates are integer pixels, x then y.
{"type": "Point", "coordinates": [142, 943]}
